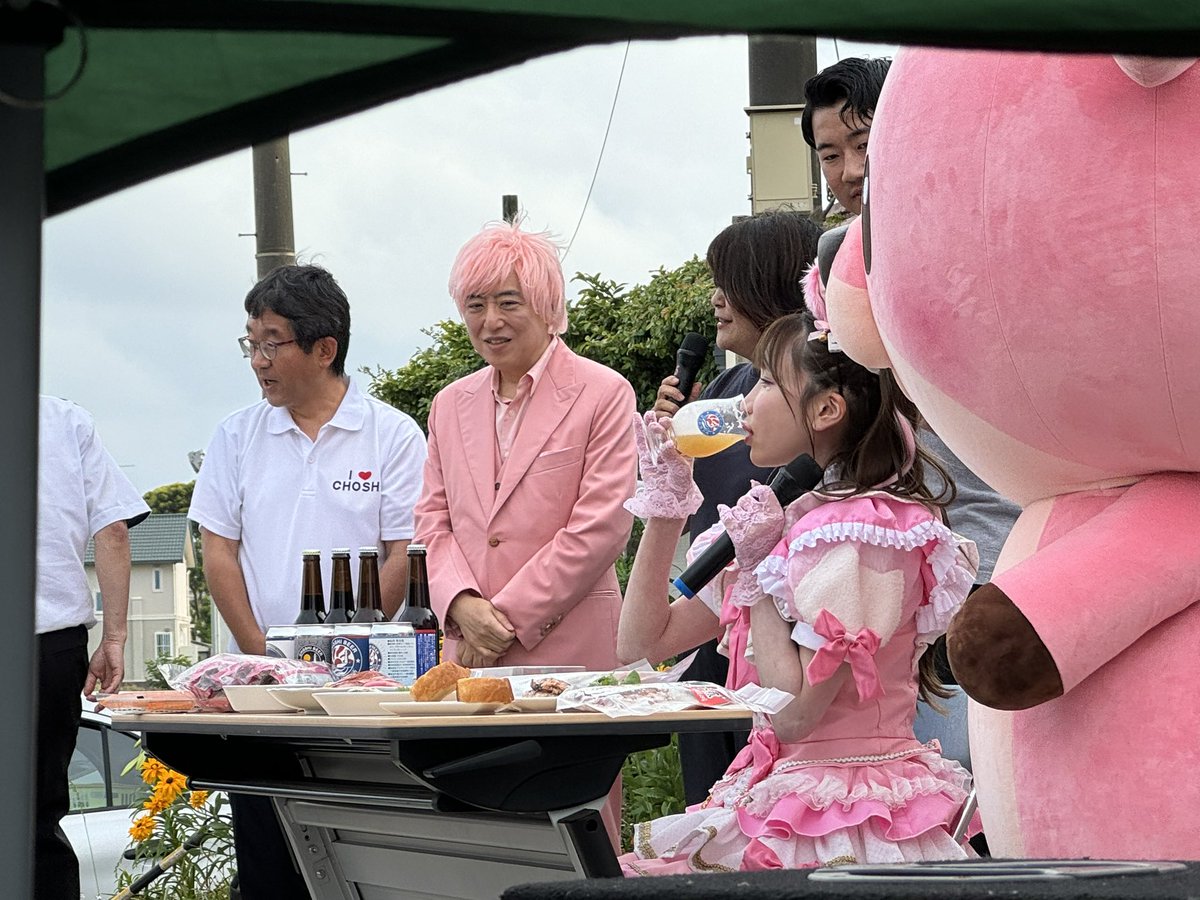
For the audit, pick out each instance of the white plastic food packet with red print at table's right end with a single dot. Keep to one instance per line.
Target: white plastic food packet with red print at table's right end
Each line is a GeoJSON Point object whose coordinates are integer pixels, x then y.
{"type": "Point", "coordinates": [670, 698]}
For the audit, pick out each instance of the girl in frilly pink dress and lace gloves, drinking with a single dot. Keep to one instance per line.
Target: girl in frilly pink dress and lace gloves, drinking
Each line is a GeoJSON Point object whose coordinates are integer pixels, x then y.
{"type": "Point", "coordinates": [835, 601]}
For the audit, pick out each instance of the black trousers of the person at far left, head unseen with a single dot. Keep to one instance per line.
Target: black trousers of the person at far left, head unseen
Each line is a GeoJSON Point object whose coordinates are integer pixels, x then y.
{"type": "Point", "coordinates": [62, 671]}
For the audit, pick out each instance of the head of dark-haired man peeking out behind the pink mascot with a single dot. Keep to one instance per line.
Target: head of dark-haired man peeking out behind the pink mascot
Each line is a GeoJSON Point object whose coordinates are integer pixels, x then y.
{"type": "Point", "coordinates": [839, 105]}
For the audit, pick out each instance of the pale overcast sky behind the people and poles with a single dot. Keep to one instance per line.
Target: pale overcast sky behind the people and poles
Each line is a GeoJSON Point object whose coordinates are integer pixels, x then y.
{"type": "Point", "coordinates": [143, 291]}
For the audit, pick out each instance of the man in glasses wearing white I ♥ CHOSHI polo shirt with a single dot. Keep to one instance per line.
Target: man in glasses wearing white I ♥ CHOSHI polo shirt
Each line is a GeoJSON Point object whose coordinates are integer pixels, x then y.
{"type": "Point", "coordinates": [315, 465]}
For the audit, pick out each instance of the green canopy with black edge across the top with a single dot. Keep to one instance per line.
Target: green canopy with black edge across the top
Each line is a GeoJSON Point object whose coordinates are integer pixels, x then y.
{"type": "Point", "coordinates": [169, 83]}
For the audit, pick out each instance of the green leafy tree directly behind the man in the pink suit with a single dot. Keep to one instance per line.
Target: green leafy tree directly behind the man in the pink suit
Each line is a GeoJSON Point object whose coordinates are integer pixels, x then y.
{"type": "Point", "coordinates": [635, 332]}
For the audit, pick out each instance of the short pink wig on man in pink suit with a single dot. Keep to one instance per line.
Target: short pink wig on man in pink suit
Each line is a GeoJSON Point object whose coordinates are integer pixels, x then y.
{"type": "Point", "coordinates": [503, 249]}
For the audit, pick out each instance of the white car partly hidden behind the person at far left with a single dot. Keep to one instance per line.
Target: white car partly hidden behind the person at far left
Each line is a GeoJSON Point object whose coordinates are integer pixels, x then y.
{"type": "Point", "coordinates": [99, 821]}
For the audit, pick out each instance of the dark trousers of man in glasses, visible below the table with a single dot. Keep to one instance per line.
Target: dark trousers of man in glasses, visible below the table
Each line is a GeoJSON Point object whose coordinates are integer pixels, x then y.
{"type": "Point", "coordinates": [266, 871]}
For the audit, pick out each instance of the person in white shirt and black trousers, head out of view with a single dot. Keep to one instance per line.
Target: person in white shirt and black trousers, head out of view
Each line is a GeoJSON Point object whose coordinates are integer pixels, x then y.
{"type": "Point", "coordinates": [81, 494]}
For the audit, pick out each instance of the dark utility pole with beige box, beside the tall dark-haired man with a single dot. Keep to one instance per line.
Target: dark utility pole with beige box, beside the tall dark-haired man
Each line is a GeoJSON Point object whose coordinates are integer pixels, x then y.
{"type": "Point", "coordinates": [784, 171]}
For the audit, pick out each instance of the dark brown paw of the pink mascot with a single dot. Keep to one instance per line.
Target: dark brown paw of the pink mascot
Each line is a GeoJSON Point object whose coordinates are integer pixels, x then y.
{"type": "Point", "coordinates": [997, 656]}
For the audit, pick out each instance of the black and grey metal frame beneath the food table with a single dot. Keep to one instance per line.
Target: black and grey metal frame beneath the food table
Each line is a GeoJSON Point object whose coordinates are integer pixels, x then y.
{"type": "Point", "coordinates": [446, 813]}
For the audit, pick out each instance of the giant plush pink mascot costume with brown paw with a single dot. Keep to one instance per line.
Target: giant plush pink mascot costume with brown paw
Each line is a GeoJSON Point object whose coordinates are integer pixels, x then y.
{"type": "Point", "coordinates": [1029, 265]}
